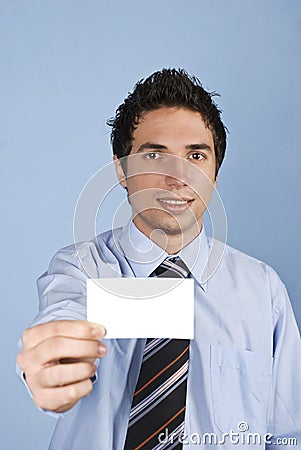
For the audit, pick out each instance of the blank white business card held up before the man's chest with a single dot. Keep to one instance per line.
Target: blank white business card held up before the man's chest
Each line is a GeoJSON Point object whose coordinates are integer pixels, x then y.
{"type": "Point", "coordinates": [142, 307]}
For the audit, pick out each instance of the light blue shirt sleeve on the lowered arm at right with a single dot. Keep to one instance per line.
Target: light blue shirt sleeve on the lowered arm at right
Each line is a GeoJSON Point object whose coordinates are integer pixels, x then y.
{"type": "Point", "coordinates": [285, 411]}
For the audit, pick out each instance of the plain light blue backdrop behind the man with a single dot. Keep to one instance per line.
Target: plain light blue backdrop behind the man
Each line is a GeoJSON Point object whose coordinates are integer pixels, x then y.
{"type": "Point", "coordinates": [65, 67]}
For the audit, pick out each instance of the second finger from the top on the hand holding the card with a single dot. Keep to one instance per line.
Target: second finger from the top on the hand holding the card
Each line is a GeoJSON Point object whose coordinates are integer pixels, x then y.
{"type": "Point", "coordinates": [55, 349]}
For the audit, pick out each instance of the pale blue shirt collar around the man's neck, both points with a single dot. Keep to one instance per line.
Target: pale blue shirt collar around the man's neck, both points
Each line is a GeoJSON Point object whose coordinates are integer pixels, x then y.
{"type": "Point", "coordinates": [144, 256]}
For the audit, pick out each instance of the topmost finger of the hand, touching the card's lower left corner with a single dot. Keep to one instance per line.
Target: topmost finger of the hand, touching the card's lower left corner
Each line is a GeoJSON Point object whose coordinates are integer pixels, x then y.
{"type": "Point", "coordinates": [77, 329]}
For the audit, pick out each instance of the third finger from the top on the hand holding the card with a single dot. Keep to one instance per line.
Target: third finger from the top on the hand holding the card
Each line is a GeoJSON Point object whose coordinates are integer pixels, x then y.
{"type": "Point", "coordinates": [64, 374]}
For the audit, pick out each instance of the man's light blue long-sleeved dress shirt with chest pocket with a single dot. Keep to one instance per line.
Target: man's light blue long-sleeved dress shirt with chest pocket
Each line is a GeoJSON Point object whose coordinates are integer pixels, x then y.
{"type": "Point", "coordinates": [244, 382]}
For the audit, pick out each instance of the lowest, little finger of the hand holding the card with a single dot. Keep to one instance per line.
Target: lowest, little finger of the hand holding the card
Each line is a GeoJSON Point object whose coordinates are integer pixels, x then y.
{"type": "Point", "coordinates": [61, 399]}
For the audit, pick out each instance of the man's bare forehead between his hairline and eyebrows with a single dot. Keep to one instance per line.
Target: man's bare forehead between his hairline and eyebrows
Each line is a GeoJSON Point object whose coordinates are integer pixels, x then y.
{"type": "Point", "coordinates": [172, 121]}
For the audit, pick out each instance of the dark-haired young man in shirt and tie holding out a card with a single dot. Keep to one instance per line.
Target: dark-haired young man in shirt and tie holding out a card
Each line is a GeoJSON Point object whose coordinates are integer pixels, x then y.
{"type": "Point", "coordinates": [245, 359]}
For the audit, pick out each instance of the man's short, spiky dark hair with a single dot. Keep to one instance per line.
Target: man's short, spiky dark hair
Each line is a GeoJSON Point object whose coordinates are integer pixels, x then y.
{"type": "Point", "coordinates": [166, 88]}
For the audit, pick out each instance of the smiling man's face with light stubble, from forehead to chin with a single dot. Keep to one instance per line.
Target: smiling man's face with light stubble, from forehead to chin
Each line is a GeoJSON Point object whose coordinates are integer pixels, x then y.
{"type": "Point", "coordinates": [170, 171]}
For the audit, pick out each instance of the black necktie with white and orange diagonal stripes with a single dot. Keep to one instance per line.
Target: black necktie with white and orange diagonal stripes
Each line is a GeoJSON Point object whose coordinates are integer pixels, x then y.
{"type": "Point", "coordinates": [160, 397]}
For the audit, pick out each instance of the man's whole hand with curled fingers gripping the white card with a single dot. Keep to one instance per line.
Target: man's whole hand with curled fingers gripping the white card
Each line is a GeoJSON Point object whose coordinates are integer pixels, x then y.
{"type": "Point", "coordinates": [58, 359]}
